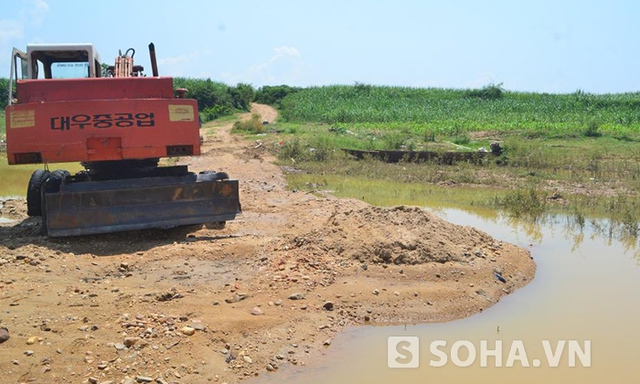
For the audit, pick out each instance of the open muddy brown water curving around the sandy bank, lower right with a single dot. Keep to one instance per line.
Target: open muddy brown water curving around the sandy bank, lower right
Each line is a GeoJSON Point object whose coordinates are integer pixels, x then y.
{"type": "Point", "coordinates": [587, 288]}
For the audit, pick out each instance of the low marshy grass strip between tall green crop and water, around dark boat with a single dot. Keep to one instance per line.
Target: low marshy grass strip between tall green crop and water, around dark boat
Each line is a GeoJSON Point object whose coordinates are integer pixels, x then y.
{"type": "Point", "coordinates": [583, 159]}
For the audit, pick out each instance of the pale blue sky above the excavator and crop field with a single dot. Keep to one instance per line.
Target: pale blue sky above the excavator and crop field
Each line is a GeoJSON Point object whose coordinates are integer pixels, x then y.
{"type": "Point", "coordinates": [555, 46]}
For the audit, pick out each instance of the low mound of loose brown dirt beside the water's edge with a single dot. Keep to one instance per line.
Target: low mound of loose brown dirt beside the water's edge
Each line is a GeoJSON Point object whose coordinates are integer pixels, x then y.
{"type": "Point", "coordinates": [399, 235]}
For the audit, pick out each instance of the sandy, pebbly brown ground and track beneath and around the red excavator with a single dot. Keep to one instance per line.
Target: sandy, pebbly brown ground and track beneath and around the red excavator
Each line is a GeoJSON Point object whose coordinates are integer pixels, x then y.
{"type": "Point", "coordinates": [272, 288]}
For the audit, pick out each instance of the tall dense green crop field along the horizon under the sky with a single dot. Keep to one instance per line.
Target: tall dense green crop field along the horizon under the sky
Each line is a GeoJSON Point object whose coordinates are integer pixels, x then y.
{"type": "Point", "coordinates": [449, 111]}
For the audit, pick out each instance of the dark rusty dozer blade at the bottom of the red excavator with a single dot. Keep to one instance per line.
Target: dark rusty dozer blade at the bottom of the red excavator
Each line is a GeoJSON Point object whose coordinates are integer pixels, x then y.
{"type": "Point", "coordinates": [120, 205]}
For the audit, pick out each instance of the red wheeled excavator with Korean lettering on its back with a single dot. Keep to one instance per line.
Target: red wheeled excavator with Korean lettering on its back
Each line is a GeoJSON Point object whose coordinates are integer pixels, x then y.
{"type": "Point", "coordinates": [118, 123]}
